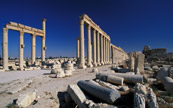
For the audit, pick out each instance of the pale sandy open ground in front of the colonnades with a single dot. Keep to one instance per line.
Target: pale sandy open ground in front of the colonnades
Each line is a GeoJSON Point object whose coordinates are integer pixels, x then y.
{"type": "Point", "coordinates": [45, 86]}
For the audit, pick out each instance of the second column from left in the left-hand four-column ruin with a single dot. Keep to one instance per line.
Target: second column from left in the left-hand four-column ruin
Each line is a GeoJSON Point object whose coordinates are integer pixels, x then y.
{"type": "Point", "coordinates": [21, 48]}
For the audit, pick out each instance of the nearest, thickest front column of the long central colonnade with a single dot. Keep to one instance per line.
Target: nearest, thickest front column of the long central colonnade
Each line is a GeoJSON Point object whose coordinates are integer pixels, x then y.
{"type": "Point", "coordinates": [82, 55]}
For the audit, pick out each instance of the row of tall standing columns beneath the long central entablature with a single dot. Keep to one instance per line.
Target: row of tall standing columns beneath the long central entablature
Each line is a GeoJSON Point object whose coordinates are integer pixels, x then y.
{"type": "Point", "coordinates": [100, 53]}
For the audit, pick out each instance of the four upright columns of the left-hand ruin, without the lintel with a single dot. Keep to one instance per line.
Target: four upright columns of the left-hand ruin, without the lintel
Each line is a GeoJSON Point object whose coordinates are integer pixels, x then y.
{"type": "Point", "coordinates": [21, 47]}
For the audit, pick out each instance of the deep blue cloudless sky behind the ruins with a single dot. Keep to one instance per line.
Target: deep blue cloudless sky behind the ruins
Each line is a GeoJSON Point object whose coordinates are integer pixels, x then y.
{"type": "Point", "coordinates": [131, 24]}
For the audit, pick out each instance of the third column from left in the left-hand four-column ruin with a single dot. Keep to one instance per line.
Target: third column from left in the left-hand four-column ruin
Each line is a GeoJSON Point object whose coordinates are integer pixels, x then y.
{"type": "Point", "coordinates": [33, 48]}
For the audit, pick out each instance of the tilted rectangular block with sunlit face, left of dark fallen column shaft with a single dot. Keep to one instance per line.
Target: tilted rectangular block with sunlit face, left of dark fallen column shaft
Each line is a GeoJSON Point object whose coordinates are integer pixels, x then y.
{"type": "Point", "coordinates": [77, 95]}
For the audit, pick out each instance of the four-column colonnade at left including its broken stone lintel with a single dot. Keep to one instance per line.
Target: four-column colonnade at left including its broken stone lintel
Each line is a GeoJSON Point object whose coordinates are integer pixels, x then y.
{"type": "Point", "coordinates": [23, 29]}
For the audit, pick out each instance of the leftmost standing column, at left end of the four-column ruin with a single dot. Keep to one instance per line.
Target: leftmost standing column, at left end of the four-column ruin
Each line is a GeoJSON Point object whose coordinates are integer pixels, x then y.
{"type": "Point", "coordinates": [5, 48]}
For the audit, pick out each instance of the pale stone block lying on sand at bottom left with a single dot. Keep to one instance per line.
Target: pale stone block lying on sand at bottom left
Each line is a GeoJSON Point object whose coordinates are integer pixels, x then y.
{"type": "Point", "coordinates": [25, 100]}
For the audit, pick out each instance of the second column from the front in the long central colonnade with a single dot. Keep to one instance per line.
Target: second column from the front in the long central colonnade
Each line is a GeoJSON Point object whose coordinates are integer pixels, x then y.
{"type": "Point", "coordinates": [89, 64]}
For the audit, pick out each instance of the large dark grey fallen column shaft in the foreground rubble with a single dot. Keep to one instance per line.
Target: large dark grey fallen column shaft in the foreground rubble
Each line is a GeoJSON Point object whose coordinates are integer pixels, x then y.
{"type": "Point", "coordinates": [105, 94]}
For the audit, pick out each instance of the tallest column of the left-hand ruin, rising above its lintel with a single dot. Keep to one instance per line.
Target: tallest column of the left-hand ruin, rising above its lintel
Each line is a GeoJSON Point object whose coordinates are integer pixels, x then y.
{"type": "Point", "coordinates": [43, 40]}
